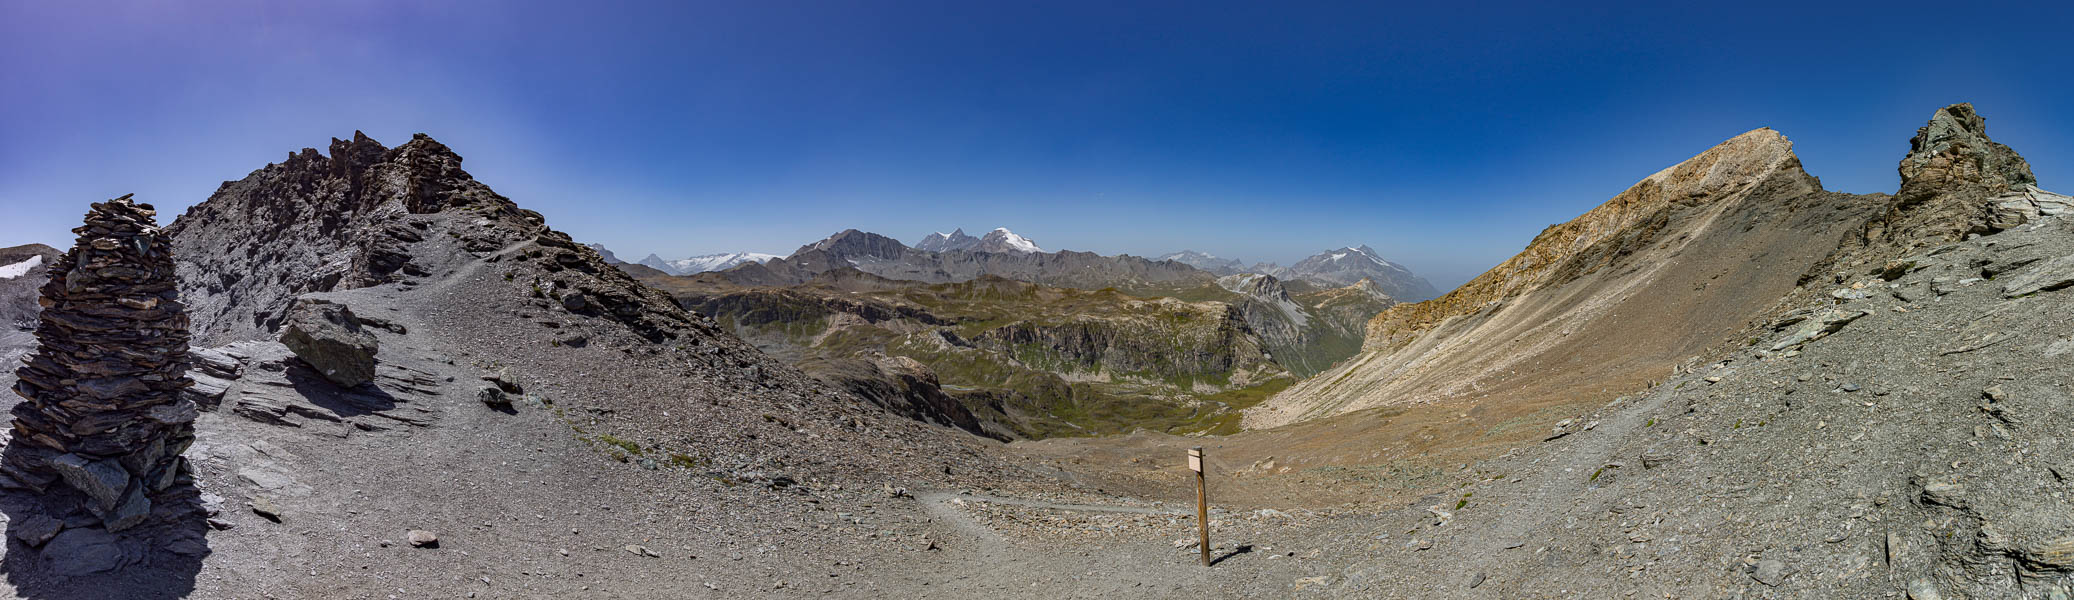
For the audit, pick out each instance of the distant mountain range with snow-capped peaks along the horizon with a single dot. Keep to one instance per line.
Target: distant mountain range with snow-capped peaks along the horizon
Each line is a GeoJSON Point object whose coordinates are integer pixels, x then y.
{"type": "Point", "coordinates": [1308, 317]}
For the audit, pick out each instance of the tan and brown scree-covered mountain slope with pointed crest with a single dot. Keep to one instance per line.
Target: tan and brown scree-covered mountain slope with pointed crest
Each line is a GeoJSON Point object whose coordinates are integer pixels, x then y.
{"type": "Point", "coordinates": [1608, 302]}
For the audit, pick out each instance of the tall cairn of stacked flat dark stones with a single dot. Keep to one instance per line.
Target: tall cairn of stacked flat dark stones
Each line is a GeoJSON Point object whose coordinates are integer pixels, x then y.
{"type": "Point", "coordinates": [105, 410]}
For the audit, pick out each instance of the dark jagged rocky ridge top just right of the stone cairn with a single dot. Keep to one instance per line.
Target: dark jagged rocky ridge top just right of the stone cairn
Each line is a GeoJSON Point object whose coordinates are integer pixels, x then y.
{"type": "Point", "coordinates": [364, 217]}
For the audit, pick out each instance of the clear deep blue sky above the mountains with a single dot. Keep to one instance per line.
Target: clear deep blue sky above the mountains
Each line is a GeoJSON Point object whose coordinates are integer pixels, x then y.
{"type": "Point", "coordinates": [1442, 134]}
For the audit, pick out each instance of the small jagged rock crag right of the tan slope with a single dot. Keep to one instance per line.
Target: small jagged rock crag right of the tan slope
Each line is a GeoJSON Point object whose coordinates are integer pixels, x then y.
{"type": "Point", "coordinates": [1955, 151]}
